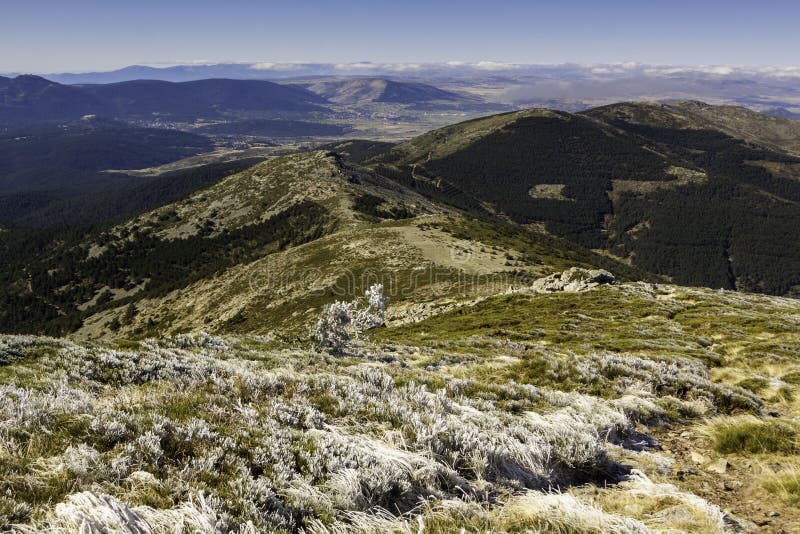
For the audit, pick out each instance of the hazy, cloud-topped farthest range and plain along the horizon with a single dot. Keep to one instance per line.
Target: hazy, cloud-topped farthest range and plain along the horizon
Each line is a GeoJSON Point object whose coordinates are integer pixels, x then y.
{"type": "Point", "coordinates": [570, 87]}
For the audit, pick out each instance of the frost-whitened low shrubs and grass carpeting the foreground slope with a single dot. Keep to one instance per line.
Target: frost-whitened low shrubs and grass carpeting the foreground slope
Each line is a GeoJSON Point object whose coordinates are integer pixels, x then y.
{"type": "Point", "coordinates": [316, 442]}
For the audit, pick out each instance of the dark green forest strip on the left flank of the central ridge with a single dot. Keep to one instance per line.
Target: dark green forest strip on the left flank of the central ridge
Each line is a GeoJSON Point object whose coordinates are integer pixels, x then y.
{"type": "Point", "coordinates": [40, 293]}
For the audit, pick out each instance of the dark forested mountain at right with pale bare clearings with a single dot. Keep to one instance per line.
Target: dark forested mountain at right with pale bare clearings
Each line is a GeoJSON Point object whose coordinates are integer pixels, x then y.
{"type": "Point", "coordinates": [646, 182]}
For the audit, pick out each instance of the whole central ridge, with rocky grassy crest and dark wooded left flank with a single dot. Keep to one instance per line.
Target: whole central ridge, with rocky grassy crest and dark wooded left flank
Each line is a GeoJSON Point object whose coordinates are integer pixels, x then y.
{"type": "Point", "coordinates": [265, 248]}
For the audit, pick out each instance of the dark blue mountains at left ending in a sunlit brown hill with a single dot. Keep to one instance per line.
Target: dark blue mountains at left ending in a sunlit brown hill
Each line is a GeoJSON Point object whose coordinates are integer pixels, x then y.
{"type": "Point", "coordinates": [28, 99]}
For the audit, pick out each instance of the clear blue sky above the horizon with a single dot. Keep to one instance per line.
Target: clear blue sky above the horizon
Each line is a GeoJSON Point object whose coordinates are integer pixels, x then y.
{"type": "Point", "coordinates": [79, 35]}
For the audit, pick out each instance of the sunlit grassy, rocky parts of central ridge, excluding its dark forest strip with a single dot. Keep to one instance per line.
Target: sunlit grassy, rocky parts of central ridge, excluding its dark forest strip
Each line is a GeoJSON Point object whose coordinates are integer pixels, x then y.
{"type": "Point", "coordinates": [373, 230]}
